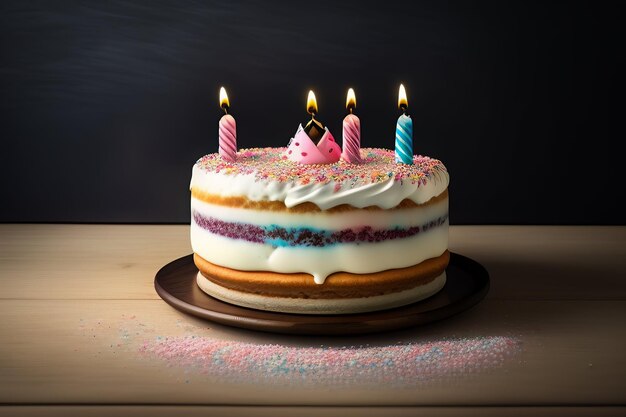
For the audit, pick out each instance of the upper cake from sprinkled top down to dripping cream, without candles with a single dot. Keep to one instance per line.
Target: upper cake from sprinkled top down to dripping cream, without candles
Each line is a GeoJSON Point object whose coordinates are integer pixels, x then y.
{"type": "Point", "coordinates": [262, 213]}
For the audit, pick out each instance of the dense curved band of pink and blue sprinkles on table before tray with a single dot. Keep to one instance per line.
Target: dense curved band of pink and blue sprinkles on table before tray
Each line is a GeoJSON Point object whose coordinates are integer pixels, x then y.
{"type": "Point", "coordinates": [396, 365]}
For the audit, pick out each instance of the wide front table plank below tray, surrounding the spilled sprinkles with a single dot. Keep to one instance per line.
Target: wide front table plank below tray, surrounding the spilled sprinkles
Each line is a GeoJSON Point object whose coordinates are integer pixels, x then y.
{"type": "Point", "coordinates": [66, 351]}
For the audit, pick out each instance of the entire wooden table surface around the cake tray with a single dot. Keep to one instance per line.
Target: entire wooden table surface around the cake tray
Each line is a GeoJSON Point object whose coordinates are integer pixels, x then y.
{"type": "Point", "coordinates": [83, 332]}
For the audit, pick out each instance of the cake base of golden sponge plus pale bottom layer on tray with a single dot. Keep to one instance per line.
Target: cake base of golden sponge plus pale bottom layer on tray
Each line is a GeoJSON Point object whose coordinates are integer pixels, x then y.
{"type": "Point", "coordinates": [341, 293]}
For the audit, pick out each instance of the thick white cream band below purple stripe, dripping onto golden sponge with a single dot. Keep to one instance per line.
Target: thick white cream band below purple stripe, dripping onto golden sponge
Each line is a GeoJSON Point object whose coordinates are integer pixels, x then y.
{"type": "Point", "coordinates": [360, 258]}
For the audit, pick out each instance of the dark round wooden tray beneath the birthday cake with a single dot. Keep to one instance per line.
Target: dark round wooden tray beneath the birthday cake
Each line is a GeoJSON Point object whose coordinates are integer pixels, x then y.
{"type": "Point", "coordinates": [467, 284]}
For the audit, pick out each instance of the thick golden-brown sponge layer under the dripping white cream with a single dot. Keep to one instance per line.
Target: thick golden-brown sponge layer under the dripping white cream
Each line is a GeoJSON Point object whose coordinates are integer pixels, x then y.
{"type": "Point", "coordinates": [338, 285]}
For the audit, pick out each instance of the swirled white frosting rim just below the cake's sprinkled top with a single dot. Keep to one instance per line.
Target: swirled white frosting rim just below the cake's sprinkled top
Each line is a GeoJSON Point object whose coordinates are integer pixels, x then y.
{"type": "Point", "coordinates": [385, 194]}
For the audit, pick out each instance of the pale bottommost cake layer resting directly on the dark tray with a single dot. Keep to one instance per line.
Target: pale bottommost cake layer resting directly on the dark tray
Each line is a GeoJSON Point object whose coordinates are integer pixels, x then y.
{"type": "Point", "coordinates": [322, 306]}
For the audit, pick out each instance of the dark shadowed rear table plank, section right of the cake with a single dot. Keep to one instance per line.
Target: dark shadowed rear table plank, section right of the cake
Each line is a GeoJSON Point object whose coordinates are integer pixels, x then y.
{"type": "Point", "coordinates": [548, 262]}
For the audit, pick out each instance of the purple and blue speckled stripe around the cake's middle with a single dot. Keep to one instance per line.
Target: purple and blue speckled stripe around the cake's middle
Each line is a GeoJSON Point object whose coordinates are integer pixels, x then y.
{"type": "Point", "coordinates": [305, 236]}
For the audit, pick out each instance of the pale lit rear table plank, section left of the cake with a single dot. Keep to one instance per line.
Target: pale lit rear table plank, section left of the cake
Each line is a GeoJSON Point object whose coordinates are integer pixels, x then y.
{"type": "Point", "coordinates": [86, 262]}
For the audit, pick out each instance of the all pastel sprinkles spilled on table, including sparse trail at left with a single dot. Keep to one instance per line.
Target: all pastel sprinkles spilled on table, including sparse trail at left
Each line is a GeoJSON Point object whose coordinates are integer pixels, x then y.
{"type": "Point", "coordinates": [191, 352]}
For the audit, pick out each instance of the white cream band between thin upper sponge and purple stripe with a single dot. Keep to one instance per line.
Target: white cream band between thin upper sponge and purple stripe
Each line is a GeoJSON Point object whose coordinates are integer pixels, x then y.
{"type": "Point", "coordinates": [387, 219]}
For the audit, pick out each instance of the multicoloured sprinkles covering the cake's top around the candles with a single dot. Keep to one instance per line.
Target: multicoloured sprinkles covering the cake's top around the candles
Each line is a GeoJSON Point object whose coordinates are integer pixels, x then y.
{"type": "Point", "coordinates": [270, 164]}
